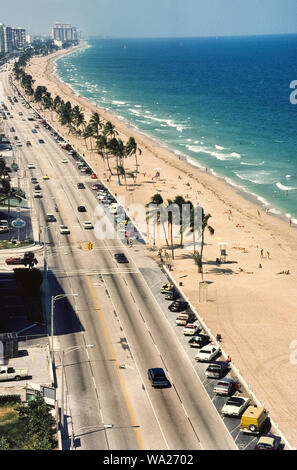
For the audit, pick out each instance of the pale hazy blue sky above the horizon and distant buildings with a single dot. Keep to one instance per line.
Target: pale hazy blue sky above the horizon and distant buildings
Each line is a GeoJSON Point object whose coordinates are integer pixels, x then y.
{"type": "Point", "coordinates": [155, 18]}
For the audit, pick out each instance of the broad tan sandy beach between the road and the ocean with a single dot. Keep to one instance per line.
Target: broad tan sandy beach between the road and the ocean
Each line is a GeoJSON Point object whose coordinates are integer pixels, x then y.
{"type": "Point", "coordinates": [252, 307]}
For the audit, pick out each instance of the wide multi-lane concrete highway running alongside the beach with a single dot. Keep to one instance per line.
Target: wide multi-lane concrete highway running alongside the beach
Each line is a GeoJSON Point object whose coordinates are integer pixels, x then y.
{"type": "Point", "coordinates": [112, 403]}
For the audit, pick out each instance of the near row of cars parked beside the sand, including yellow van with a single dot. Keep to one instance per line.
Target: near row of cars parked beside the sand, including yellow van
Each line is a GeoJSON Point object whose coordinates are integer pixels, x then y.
{"type": "Point", "coordinates": [253, 419]}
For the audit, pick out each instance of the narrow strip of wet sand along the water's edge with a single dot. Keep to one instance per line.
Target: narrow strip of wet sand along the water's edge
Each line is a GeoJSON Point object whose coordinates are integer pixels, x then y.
{"type": "Point", "coordinates": [258, 200]}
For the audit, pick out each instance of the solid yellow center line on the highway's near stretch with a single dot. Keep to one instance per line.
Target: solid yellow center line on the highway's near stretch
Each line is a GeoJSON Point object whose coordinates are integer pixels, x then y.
{"type": "Point", "coordinates": [114, 360]}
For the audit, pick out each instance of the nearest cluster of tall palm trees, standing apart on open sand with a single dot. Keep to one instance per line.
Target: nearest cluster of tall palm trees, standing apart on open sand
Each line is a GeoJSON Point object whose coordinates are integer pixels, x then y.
{"type": "Point", "coordinates": [165, 208]}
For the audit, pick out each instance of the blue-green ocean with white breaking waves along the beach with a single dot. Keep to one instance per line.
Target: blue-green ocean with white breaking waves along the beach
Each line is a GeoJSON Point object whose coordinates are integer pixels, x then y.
{"type": "Point", "coordinates": [222, 103]}
